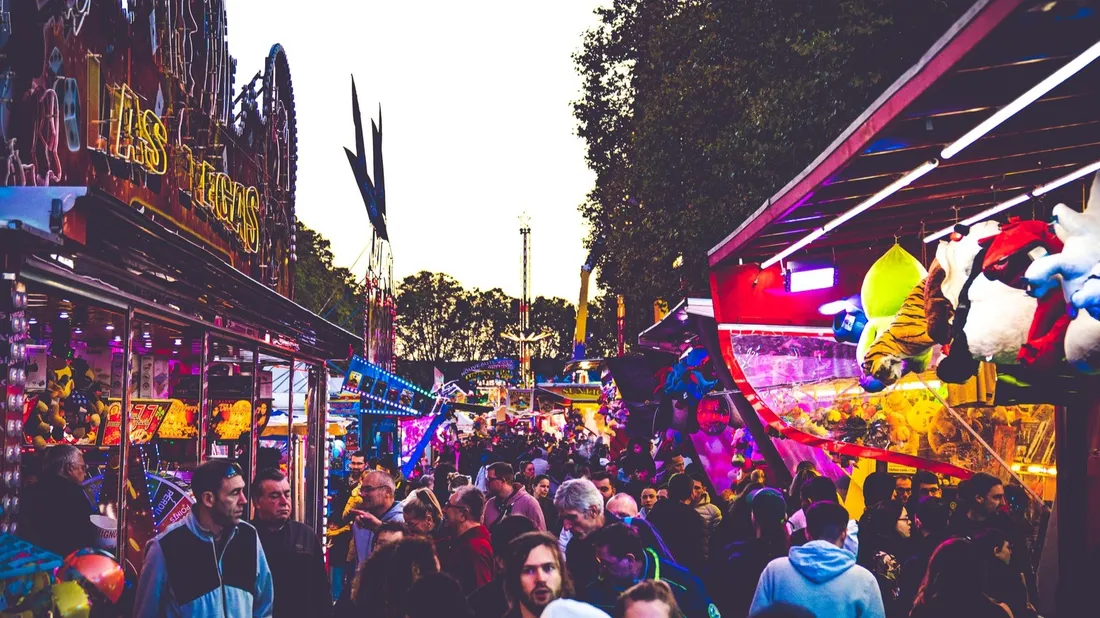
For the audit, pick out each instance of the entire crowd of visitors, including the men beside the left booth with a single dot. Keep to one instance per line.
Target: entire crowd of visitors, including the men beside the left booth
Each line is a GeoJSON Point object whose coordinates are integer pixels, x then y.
{"type": "Point", "coordinates": [522, 526]}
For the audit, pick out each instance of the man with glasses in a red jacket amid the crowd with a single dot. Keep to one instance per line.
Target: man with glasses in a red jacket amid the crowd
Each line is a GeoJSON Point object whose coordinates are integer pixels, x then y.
{"type": "Point", "coordinates": [467, 555]}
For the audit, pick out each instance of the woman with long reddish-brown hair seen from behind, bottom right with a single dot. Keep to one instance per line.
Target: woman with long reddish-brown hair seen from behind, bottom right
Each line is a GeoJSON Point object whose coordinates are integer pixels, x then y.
{"type": "Point", "coordinates": [955, 583]}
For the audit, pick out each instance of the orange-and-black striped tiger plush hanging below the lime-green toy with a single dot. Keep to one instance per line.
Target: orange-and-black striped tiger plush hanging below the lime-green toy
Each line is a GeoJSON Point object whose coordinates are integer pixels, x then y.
{"type": "Point", "coordinates": [905, 346]}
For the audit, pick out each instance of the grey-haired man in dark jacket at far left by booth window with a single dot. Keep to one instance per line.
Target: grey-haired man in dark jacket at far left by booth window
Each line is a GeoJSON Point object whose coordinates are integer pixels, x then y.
{"type": "Point", "coordinates": [56, 512]}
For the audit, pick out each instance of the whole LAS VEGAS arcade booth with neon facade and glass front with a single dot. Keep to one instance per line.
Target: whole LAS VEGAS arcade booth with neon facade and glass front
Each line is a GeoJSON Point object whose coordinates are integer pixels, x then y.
{"type": "Point", "coordinates": [148, 260]}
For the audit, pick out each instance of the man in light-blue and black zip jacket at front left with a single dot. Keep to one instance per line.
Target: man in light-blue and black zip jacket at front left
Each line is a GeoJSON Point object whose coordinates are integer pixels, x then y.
{"type": "Point", "coordinates": [212, 565]}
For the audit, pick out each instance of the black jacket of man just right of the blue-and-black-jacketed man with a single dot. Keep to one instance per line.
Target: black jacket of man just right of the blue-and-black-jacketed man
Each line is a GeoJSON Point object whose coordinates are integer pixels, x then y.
{"type": "Point", "coordinates": [298, 565]}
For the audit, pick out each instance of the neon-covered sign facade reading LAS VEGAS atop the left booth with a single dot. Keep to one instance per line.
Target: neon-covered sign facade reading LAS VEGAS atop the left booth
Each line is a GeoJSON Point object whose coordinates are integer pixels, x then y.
{"type": "Point", "coordinates": [150, 118]}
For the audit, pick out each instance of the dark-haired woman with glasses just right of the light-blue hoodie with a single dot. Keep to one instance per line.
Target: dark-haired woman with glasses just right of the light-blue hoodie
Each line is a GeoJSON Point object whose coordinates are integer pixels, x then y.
{"type": "Point", "coordinates": [885, 534]}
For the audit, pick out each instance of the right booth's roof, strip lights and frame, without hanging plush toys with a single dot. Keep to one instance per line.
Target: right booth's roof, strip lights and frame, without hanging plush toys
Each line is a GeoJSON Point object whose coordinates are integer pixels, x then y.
{"type": "Point", "coordinates": [997, 119]}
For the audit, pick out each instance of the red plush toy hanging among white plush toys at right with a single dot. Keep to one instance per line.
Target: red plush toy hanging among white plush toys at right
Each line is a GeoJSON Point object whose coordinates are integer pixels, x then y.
{"type": "Point", "coordinates": [1008, 257]}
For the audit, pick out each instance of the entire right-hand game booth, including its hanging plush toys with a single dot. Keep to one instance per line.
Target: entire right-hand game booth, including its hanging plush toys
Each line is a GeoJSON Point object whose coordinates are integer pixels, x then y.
{"type": "Point", "coordinates": [926, 292]}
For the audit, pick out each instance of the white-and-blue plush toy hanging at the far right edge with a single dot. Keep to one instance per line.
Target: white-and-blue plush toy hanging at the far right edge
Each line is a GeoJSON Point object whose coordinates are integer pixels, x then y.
{"type": "Point", "coordinates": [1081, 234]}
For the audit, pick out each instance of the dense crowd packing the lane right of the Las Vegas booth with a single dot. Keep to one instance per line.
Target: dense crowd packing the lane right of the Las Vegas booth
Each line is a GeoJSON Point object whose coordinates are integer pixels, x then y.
{"type": "Point", "coordinates": [525, 526]}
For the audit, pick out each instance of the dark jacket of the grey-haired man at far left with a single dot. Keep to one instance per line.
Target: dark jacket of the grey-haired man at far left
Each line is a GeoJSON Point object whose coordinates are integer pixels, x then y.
{"type": "Point", "coordinates": [56, 516]}
